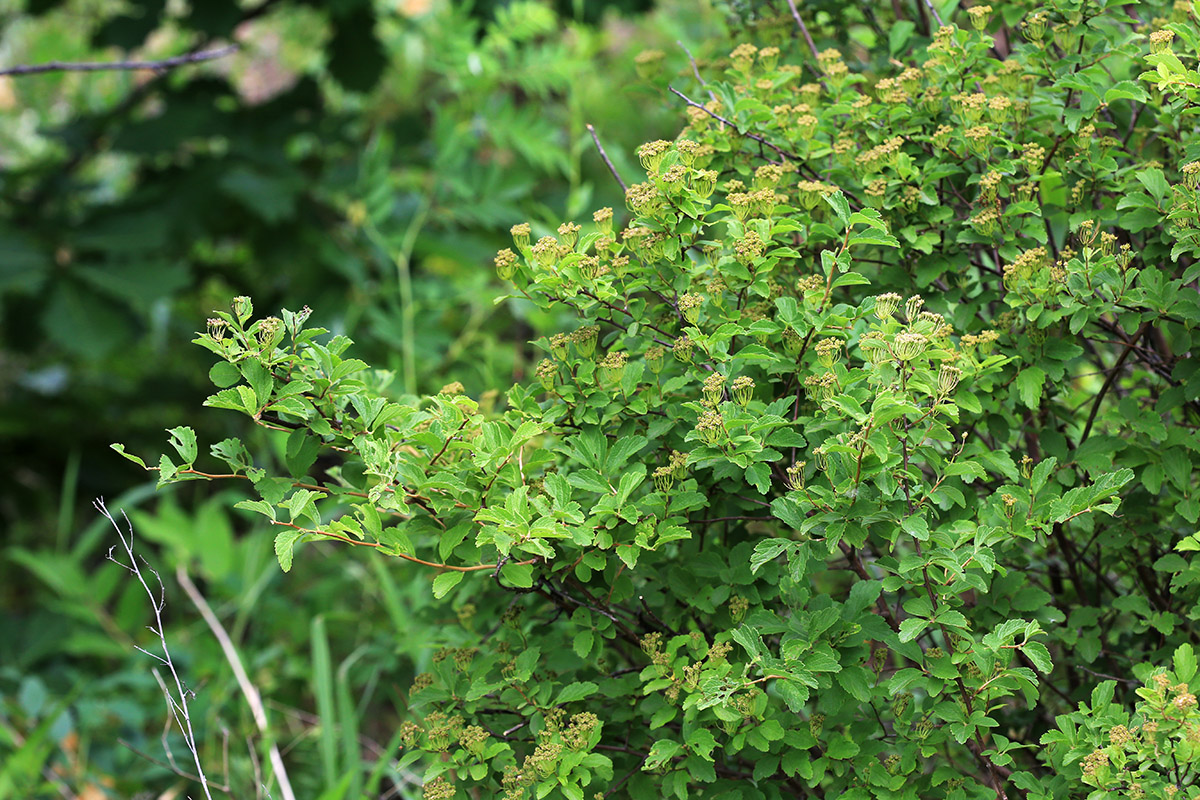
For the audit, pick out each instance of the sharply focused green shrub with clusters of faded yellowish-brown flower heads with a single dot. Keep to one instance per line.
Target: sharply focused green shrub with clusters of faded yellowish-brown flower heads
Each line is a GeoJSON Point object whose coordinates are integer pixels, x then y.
{"type": "Point", "coordinates": [866, 471]}
